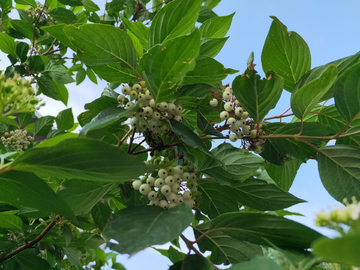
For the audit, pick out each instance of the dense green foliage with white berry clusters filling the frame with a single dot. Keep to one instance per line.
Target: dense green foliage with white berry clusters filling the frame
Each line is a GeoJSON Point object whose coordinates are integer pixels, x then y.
{"type": "Point", "coordinates": [140, 165]}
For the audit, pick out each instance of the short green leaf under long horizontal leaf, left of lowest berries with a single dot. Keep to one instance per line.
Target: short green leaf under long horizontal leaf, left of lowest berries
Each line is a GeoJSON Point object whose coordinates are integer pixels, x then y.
{"type": "Point", "coordinates": [82, 195]}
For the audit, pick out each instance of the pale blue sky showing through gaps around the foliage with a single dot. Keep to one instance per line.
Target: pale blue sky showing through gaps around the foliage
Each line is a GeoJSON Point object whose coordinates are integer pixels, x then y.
{"type": "Point", "coordinates": [330, 29]}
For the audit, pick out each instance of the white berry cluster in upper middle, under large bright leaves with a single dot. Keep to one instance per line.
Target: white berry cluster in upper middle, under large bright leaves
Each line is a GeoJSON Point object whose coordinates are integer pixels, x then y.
{"type": "Point", "coordinates": [150, 114]}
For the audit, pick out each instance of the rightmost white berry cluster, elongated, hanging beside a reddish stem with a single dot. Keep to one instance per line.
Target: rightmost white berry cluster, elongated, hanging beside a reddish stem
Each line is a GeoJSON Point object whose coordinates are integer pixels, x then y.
{"type": "Point", "coordinates": [237, 119]}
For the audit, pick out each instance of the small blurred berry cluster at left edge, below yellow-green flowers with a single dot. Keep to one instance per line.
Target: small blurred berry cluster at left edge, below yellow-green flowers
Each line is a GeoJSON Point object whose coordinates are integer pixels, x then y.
{"type": "Point", "coordinates": [16, 140]}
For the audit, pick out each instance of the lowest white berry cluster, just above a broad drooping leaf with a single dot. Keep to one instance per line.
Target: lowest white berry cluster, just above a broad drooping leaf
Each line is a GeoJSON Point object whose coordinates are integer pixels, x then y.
{"type": "Point", "coordinates": [169, 187]}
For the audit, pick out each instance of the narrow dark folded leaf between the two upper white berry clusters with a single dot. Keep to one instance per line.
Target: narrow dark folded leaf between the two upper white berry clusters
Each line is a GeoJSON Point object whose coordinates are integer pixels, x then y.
{"type": "Point", "coordinates": [187, 135]}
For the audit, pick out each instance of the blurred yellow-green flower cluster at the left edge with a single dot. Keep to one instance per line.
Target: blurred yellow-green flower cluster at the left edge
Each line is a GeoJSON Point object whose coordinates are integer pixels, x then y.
{"type": "Point", "coordinates": [16, 96]}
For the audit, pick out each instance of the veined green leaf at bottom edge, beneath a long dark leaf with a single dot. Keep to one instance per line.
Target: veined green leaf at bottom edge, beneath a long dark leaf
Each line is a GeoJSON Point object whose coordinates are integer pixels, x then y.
{"type": "Point", "coordinates": [224, 249]}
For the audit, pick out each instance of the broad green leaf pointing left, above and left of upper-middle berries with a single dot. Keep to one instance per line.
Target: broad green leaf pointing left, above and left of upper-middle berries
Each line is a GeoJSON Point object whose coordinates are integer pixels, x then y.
{"type": "Point", "coordinates": [95, 48]}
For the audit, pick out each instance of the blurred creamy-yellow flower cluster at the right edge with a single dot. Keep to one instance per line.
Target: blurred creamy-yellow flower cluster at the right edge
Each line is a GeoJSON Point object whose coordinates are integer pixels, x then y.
{"type": "Point", "coordinates": [348, 215]}
